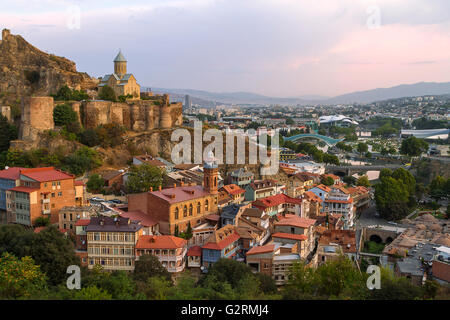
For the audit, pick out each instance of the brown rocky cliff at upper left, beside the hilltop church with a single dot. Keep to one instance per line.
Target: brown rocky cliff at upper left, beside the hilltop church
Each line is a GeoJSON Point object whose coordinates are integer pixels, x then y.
{"type": "Point", "coordinates": [26, 70]}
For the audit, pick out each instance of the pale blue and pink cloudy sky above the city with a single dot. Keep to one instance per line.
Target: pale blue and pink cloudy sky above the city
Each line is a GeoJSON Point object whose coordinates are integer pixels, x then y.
{"type": "Point", "coordinates": [282, 48]}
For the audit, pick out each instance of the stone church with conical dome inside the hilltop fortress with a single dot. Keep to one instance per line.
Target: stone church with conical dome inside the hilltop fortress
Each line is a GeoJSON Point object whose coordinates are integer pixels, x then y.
{"type": "Point", "coordinates": [120, 81]}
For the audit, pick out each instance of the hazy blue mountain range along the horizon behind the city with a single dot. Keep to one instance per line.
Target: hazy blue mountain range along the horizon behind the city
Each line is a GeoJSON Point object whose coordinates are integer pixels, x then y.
{"type": "Point", "coordinates": [368, 96]}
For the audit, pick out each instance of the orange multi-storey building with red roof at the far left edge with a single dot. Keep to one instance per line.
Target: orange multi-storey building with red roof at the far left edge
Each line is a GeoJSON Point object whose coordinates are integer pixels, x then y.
{"type": "Point", "coordinates": [42, 192]}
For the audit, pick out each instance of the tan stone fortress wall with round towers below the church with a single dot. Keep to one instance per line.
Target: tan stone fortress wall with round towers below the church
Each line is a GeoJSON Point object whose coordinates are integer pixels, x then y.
{"type": "Point", "coordinates": [136, 115]}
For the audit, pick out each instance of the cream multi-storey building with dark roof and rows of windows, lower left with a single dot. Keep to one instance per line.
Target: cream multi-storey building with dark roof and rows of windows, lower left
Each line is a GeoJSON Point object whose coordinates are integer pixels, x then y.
{"type": "Point", "coordinates": [111, 242]}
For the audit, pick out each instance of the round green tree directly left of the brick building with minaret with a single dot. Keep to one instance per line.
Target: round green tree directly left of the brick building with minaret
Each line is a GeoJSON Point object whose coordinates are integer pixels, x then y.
{"type": "Point", "coordinates": [142, 178]}
